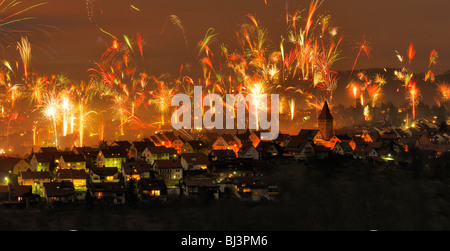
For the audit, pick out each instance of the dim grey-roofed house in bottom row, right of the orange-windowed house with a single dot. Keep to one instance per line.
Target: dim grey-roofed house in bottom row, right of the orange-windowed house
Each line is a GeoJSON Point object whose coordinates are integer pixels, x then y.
{"type": "Point", "coordinates": [195, 187]}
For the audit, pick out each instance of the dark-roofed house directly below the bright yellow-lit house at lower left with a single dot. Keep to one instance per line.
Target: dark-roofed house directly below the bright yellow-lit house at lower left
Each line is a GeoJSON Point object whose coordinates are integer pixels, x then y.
{"type": "Point", "coordinates": [62, 192]}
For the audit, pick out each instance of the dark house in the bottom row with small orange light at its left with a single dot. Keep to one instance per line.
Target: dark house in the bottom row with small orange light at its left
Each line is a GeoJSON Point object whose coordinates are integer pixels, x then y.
{"type": "Point", "coordinates": [108, 192]}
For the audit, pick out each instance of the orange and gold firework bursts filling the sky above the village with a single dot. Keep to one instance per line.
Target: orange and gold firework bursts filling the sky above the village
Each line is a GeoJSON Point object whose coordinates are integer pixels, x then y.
{"type": "Point", "coordinates": [121, 93]}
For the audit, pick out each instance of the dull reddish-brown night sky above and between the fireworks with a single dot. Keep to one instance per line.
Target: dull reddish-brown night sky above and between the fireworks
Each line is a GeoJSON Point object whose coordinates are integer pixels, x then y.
{"type": "Point", "coordinates": [73, 41]}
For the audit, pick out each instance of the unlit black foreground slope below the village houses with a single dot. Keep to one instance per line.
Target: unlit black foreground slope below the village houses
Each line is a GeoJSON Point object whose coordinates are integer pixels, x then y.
{"type": "Point", "coordinates": [325, 195]}
